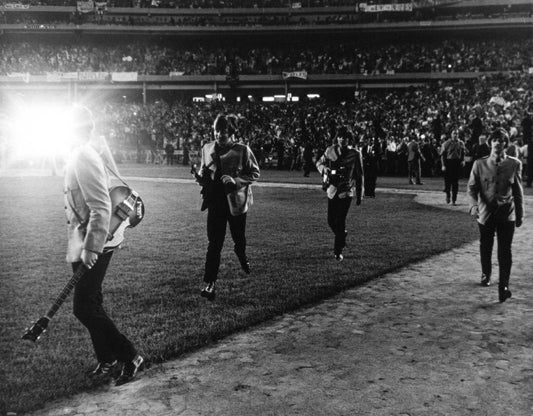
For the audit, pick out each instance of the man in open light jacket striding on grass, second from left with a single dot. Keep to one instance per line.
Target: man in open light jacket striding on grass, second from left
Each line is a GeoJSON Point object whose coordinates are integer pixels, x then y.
{"type": "Point", "coordinates": [227, 171]}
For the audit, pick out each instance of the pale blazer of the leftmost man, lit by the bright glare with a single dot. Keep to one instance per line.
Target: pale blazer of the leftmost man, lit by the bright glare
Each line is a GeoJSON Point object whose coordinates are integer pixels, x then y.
{"type": "Point", "coordinates": [87, 202]}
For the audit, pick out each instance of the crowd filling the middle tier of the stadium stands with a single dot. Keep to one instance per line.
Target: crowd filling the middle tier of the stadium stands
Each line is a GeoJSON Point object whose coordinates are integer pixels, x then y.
{"type": "Point", "coordinates": [153, 58]}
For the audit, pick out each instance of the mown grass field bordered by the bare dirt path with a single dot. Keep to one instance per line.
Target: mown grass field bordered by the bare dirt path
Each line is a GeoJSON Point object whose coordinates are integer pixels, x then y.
{"type": "Point", "coordinates": [153, 283]}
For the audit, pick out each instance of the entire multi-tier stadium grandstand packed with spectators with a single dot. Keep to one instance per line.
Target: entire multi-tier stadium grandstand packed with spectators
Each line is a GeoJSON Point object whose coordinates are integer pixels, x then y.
{"type": "Point", "coordinates": [387, 71]}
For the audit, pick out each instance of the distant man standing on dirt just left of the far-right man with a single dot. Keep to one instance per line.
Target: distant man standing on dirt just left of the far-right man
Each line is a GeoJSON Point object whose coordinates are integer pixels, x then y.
{"type": "Point", "coordinates": [453, 159]}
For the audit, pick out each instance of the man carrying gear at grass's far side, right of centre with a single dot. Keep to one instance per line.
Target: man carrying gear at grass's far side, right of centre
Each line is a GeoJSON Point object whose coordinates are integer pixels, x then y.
{"type": "Point", "coordinates": [343, 166]}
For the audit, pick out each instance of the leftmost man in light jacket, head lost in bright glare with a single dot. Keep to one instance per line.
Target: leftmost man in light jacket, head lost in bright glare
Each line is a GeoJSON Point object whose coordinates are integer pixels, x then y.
{"type": "Point", "coordinates": [88, 209]}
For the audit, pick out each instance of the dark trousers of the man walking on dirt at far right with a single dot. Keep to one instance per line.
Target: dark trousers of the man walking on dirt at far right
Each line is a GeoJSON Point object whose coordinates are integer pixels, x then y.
{"type": "Point", "coordinates": [504, 231]}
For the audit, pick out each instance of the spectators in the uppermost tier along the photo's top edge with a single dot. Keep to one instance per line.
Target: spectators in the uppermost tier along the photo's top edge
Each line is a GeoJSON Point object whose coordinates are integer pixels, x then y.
{"type": "Point", "coordinates": [260, 13]}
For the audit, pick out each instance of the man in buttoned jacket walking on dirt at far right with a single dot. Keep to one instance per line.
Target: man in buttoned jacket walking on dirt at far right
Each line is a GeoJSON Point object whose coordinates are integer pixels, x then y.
{"type": "Point", "coordinates": [496, 200]}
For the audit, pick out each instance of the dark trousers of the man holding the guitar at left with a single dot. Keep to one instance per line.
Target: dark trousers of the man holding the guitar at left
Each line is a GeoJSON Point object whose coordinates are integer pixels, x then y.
{"type": "Point", "coordinates": [109, 344]}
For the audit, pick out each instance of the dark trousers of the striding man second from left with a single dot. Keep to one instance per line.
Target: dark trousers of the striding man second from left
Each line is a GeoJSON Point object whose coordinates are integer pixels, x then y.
{"type": "Point", "coordinates": [218, 215]}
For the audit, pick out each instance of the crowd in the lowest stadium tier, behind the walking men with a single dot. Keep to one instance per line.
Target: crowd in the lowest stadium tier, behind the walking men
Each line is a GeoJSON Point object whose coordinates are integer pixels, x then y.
{"type": "Point", "coordinates": [280, 133]}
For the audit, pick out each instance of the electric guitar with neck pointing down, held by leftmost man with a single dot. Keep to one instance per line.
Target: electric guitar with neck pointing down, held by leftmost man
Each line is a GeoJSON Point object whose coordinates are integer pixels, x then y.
{"type": "Point", "coordinates": [127, 212]}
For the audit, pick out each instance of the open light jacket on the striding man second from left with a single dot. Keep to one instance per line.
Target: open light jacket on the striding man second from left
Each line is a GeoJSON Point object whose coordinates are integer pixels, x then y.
{"type": "Point", "coordinates": [238, 162]}
